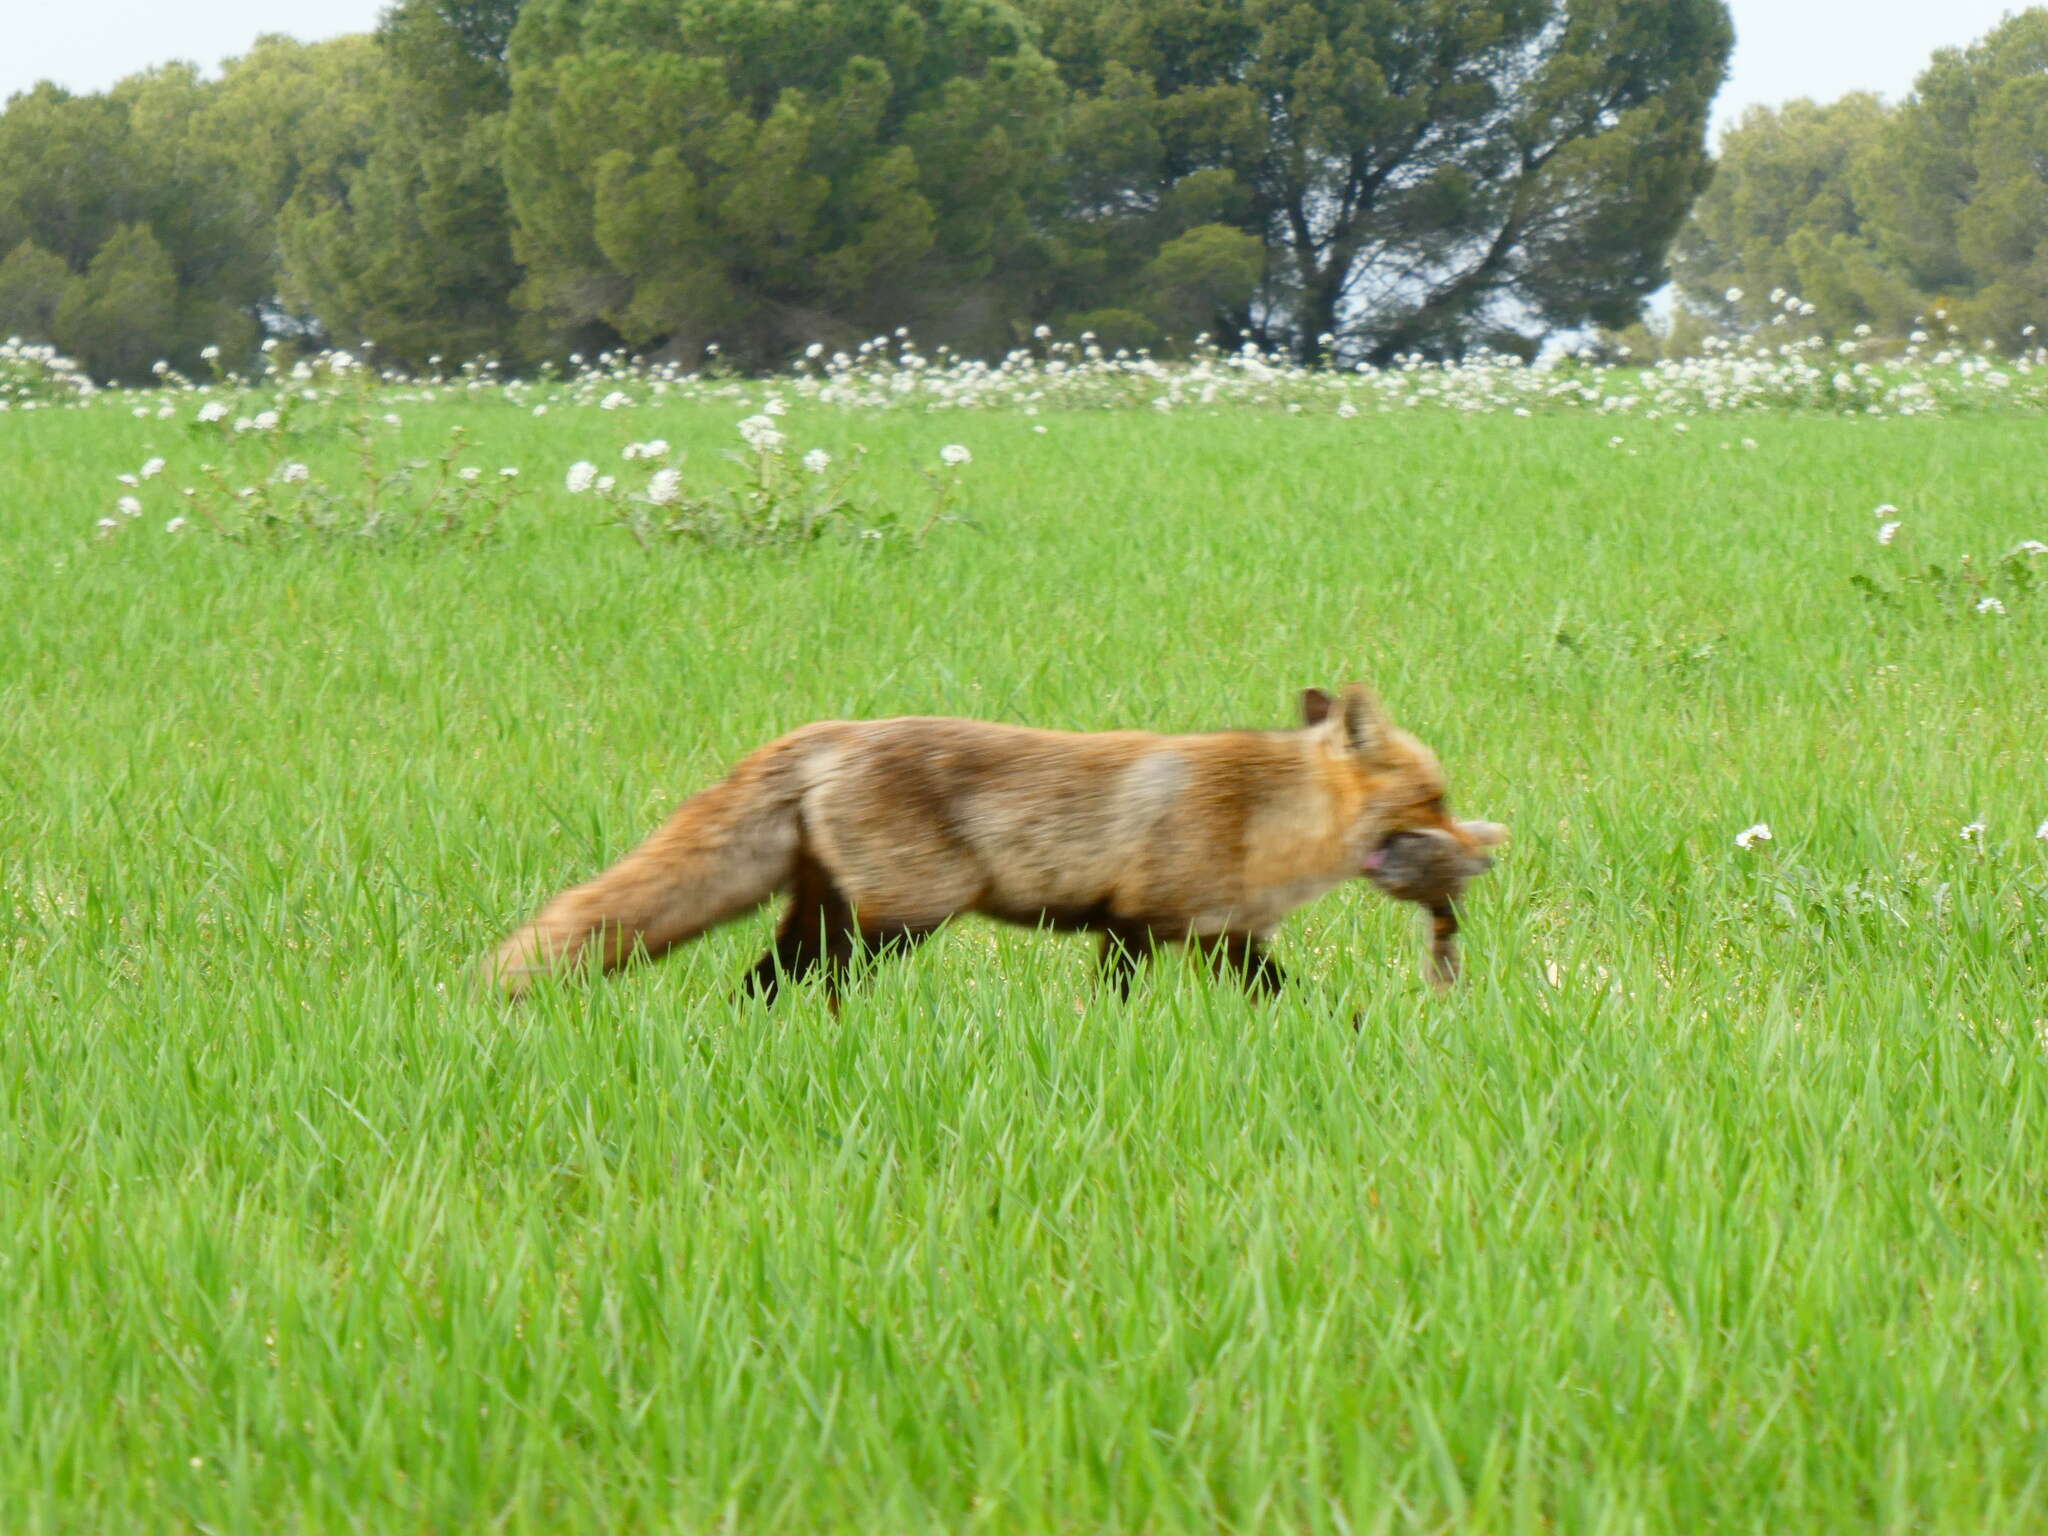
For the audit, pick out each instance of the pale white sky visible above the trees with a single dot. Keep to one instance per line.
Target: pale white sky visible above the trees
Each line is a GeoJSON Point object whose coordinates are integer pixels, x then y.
{"type": "Point", "coordinates": [1783, 50]}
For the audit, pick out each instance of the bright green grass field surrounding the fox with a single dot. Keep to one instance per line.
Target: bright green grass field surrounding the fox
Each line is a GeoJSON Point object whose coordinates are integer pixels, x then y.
{"type": "Point", "coordinates": [1713, 1201]}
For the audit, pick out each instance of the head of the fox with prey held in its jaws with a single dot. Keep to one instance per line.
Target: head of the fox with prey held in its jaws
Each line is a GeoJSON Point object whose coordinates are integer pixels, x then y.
{"type": "Point", "coordinates": [1404, 833]}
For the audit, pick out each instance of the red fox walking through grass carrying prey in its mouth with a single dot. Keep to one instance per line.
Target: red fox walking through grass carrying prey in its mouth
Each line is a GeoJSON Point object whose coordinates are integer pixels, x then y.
{"type": "Point", "coordinates": [884, 830]}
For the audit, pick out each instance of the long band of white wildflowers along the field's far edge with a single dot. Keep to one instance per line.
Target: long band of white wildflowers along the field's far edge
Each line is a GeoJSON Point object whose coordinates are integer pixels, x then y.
{"type": "Point", "coordinates": [1777, 368]}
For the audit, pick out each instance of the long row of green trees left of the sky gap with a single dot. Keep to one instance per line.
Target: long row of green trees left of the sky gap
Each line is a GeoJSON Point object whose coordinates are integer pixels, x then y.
{"type": "Point", "coordinates": [527, 179]}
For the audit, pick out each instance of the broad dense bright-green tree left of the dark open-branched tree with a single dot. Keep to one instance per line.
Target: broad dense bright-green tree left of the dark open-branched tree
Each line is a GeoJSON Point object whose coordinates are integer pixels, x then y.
{"type": "Point", "coordinates": [689, 173]}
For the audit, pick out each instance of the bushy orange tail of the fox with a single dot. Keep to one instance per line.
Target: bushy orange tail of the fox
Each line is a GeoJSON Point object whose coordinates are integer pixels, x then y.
{"type": "Point", "coordinates": [718, 857]}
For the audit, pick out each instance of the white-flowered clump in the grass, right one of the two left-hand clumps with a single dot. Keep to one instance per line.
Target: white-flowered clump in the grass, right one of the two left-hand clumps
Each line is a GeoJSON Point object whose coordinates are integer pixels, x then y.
{"type": "Point", "coordinates": [771, 501]}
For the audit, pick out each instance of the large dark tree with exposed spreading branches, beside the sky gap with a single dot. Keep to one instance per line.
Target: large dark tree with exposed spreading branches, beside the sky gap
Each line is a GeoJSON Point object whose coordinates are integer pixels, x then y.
{"type": "Point", "coordinates": [1416, 171]}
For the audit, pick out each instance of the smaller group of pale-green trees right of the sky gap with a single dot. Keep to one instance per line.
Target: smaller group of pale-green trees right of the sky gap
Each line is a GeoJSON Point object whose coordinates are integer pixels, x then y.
{"type": "Point", "coordinates": [1922, 216]}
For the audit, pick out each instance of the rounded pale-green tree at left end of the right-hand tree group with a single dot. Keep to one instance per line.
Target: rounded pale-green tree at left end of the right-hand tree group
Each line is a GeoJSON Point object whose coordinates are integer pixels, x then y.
{"type": "Point", "coordinates": [1789, 214]}
